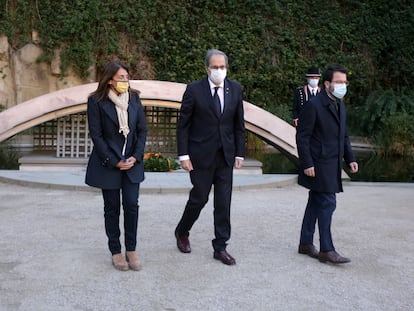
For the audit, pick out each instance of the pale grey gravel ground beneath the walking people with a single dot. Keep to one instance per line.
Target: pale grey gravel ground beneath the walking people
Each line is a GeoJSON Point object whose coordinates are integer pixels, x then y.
{"type": "Point", "coordinates": [54, 254]}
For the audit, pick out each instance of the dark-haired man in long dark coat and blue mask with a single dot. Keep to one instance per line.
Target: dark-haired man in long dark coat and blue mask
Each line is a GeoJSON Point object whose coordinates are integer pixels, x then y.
{"type": "Point", "coordinates": [323, 143]}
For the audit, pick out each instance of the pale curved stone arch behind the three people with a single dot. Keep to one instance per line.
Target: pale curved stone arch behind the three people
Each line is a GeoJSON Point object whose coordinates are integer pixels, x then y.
{"type": "Point", "coordinates": [16, 119]}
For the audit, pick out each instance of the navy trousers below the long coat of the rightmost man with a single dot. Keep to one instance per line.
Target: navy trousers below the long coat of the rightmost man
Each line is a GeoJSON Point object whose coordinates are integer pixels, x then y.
{"type": "Point", "coordinates": [320, 208]}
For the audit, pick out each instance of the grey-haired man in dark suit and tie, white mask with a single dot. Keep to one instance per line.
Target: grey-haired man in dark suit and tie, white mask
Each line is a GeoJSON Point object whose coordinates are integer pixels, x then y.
{"type": "Point", "coordinates": [210, 141]}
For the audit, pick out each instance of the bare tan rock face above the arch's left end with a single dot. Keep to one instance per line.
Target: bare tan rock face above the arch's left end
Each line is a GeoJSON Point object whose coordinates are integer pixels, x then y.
{"type": "Point", "coordinates": [22, 77]}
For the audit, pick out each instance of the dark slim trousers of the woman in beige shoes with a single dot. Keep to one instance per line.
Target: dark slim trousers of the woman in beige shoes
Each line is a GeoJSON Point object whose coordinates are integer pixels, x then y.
{"type": "Point", "coordinates": [112, 209]}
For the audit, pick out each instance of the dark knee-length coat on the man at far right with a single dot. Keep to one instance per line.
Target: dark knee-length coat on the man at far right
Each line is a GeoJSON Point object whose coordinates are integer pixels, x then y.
{"type": "Point", "coordinates": [323, 142]}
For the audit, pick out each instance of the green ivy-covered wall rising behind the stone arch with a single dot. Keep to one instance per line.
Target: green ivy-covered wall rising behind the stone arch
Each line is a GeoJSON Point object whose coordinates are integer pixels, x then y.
{"type": "Point", "coordinates": [269, 43]}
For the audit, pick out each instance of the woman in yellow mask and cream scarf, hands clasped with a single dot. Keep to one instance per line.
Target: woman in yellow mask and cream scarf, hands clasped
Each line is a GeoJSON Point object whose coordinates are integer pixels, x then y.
{"type": "Point", "coordinates": [118, 130]}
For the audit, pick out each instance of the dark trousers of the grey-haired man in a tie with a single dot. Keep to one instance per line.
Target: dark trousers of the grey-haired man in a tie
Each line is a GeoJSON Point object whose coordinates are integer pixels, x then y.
{"type": "Point", "coordinates": [221, 176]}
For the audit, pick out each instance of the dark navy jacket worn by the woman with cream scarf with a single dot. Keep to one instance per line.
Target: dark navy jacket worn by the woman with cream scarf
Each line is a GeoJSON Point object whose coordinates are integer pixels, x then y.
{"type": "Point", "coordinates": [108, 142]}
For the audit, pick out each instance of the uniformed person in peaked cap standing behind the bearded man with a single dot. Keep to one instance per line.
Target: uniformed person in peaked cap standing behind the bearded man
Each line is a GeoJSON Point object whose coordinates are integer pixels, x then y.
{"type": "Point", "coordinates": [305, 92]}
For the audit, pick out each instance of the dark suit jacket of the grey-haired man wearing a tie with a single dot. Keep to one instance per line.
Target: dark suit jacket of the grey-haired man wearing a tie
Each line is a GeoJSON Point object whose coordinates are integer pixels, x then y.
{"type": "Point", "coordinates": [201, 129]}
